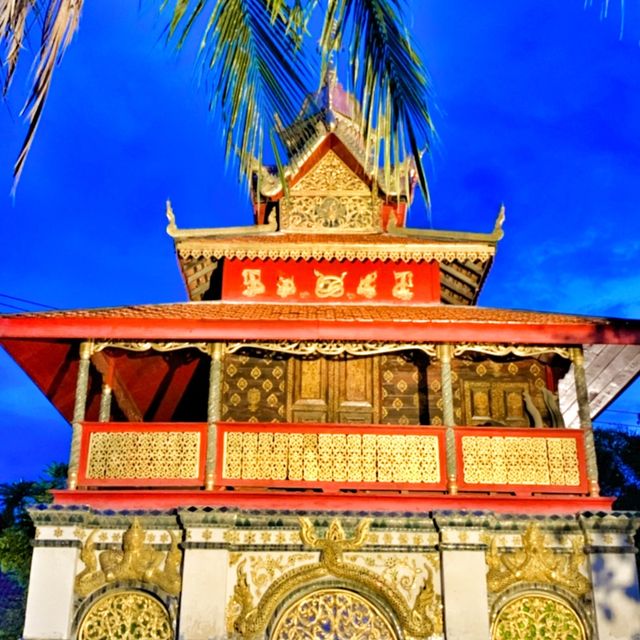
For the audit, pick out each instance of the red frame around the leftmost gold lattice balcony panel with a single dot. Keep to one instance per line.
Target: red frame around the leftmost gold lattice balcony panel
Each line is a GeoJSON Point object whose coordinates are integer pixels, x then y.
{"type": "Point", "coordinates": [89, 428]}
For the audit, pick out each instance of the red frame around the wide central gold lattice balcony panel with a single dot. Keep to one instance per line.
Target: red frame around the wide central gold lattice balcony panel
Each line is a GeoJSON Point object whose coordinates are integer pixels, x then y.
{"type": "Point", "coordinates": [226, 427]}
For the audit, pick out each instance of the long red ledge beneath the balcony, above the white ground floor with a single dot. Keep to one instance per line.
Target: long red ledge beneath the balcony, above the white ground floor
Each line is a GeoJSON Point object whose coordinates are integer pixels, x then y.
{"type": "Point", "coordinates": [374, 501]}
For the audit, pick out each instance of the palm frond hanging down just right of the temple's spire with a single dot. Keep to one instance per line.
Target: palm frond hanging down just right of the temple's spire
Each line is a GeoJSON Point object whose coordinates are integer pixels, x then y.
{"type": "Point", "coordinates": [389, 78]}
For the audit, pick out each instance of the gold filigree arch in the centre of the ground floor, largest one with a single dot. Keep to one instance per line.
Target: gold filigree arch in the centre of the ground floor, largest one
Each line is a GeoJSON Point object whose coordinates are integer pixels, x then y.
{"type": "Point", "coordinates": [333, 614]}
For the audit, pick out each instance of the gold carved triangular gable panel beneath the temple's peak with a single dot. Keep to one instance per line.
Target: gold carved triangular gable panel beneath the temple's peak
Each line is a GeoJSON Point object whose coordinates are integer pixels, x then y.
{"type": "Point", "coordinates": [329, 198]}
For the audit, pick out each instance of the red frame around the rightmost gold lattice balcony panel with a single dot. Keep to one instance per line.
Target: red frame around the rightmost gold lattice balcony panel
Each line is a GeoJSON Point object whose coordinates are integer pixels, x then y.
{"type": "Point", "coordinates": [528, 489]}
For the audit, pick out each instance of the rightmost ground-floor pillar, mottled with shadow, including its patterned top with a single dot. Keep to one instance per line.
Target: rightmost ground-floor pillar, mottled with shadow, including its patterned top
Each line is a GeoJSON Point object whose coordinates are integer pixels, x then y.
{"type": "Point", "coordinates": [614, 576]}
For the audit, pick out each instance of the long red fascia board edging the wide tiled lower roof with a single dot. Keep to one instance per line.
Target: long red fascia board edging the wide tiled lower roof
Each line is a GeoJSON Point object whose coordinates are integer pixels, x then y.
{"type": "Point", "coordinates": [313, 329]}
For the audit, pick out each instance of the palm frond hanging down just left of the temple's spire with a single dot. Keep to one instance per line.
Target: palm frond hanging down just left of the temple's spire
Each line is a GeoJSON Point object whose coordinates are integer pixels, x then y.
{"type": "Point", "coordinates": [255, 68]}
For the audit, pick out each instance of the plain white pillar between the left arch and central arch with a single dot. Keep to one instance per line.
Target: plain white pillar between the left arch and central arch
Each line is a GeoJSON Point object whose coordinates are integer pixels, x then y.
{"type": "Point", "coordinates": [204, 594]}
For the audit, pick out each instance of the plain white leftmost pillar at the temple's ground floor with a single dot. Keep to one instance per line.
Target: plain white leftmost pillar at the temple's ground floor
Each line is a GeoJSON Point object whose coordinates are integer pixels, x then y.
{"type": "Point", "coordinates": [50, 597]}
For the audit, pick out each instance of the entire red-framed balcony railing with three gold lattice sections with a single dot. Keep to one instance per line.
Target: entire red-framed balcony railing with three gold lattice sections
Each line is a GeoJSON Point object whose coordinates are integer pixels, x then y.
{"type": "Point", "coordinates": [333, 458]}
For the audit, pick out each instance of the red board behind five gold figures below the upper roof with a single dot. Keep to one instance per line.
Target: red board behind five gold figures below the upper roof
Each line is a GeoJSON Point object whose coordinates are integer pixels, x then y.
{"type": "Point", "coordinates": [425, 277]}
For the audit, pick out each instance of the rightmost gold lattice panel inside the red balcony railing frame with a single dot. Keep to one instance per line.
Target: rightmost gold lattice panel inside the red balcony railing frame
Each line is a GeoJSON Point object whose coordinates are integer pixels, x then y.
{"type": "Point", "coordinates": [520, 460]}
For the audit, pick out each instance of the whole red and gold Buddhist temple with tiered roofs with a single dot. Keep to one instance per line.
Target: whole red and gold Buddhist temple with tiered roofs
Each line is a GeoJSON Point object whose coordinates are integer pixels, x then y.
{"type": "Point", "coordinates": [330, 439]}
